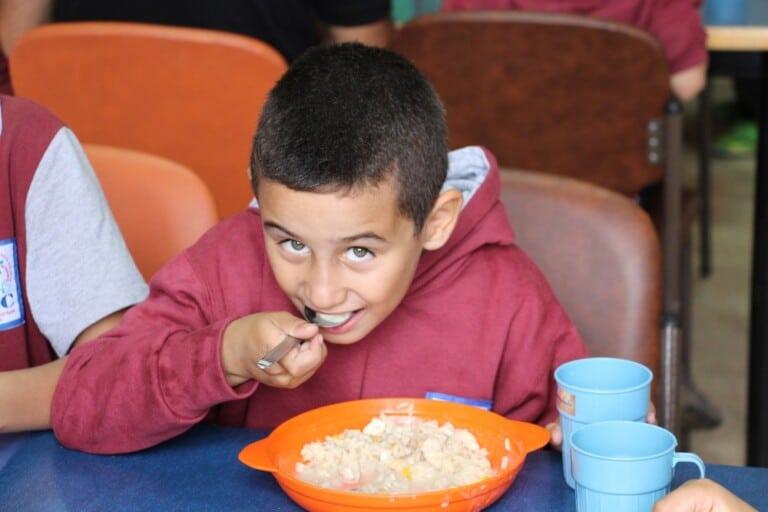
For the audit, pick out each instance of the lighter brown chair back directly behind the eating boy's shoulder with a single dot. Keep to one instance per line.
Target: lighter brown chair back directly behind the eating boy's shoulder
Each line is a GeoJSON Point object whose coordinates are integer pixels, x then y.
{"type": "Point", "coordinates": [601, 255]}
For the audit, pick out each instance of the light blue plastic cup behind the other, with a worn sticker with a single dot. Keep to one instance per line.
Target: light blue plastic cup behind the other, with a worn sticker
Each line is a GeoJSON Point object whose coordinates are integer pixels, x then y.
{"type": "Point", "coordinates": [599, 389]}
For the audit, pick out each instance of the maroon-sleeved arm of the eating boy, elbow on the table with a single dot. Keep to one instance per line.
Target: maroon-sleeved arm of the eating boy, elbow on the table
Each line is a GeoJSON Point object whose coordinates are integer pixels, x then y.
{"type": "Point", "coordinates": [150, 379]}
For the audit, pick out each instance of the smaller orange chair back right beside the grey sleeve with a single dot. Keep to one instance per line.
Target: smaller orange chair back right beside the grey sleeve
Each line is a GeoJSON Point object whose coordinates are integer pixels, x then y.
{"type": "Point", "coordinates": [160, 206]}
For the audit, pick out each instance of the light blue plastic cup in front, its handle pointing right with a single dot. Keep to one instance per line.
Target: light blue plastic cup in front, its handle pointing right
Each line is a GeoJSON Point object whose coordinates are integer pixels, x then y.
{"type": "Point", "coordinates": [624, 466]}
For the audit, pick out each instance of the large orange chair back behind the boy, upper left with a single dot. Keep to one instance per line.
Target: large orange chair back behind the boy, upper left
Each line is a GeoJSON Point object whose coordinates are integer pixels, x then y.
{"type": "Point", "coordinates": [191, 95]}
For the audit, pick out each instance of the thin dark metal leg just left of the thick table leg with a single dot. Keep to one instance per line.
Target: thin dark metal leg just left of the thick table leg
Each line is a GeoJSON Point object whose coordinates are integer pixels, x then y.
{"type": "Point", "coordinates": [704, 132]}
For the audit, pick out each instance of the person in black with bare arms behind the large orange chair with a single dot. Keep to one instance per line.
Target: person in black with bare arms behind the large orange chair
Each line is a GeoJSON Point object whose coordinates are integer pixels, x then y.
{"type": "Point", "coordinates": [290, 26]}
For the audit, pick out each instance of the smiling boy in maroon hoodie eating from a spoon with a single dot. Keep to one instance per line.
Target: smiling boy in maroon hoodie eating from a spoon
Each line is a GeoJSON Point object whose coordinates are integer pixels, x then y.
{"type": "Point", "coordinates": [402, 257]}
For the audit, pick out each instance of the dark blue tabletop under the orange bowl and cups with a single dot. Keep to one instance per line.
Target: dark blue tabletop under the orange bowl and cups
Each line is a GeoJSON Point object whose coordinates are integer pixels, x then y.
{"type": "Point", "coordinates": [200, 471]}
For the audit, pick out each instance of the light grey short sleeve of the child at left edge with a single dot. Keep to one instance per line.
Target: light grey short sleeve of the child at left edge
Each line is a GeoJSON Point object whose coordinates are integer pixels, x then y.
{"type": "Point", "coordinates": [78, 267]}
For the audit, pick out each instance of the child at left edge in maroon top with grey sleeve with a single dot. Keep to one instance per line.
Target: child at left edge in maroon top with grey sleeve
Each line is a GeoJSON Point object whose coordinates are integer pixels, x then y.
{"type": "Point", "coordinates": [65, 273]}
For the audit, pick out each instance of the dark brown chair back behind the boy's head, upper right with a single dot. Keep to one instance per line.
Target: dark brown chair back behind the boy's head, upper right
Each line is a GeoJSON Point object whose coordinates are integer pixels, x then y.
{"type": "Point", "coordinates": [554, 93]}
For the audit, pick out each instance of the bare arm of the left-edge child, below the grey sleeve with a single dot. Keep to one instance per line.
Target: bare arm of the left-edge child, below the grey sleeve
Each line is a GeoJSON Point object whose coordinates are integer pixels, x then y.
{"type": "Point", "coordinates": [26, 394]}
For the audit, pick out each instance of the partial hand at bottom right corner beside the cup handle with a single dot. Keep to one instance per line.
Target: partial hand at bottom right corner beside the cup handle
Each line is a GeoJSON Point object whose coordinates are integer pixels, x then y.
{"type": "Point", "coordinates": [701, 495]}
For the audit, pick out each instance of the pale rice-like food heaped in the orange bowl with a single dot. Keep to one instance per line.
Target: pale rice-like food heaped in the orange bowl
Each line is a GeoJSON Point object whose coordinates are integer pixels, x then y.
{"type": "Point", "coordinates": [395, 454]}
